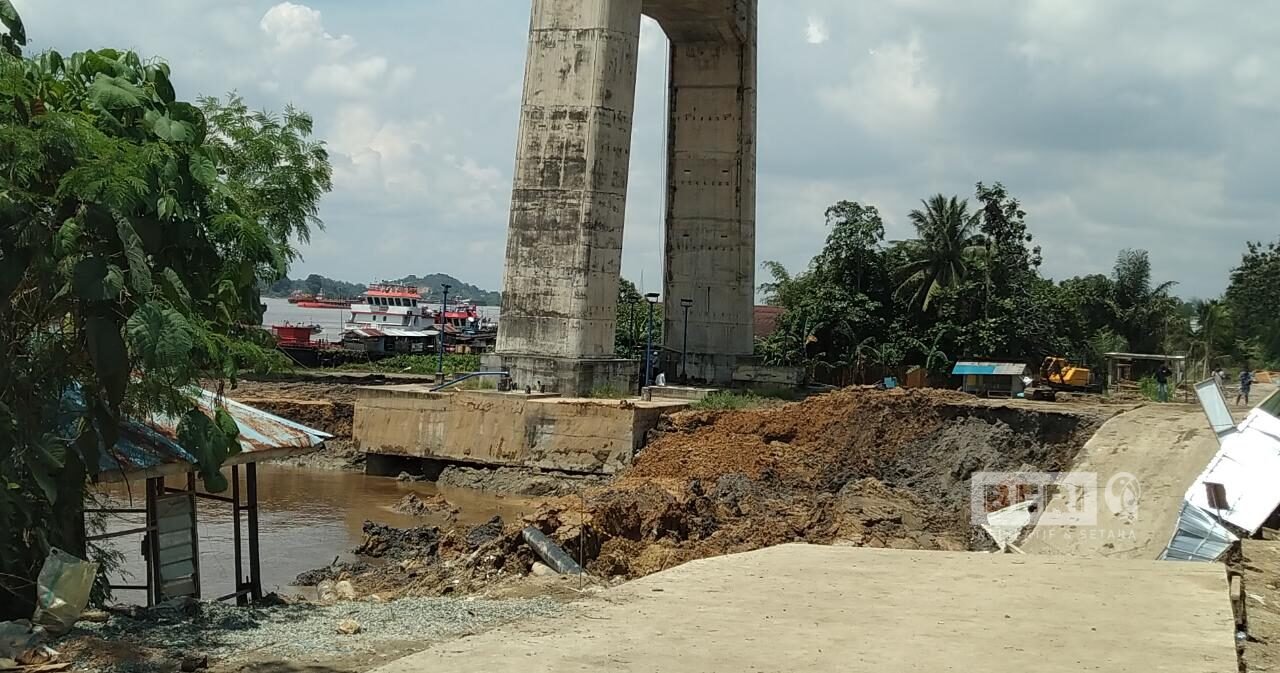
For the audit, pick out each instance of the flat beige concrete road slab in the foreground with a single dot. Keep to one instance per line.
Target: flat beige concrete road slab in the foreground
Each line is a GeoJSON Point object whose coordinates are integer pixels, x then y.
{"type": "Point", "coordinates": [802, 608]}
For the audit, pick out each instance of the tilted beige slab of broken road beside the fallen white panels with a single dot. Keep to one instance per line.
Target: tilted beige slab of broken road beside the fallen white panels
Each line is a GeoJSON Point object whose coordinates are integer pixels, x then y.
{"type": "Point", "coordinates": [1164, 448]}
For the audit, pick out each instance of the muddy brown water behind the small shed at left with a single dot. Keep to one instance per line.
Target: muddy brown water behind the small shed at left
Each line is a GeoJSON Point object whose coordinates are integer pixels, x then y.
{"type": "Point", "coordinates": [307, 519]}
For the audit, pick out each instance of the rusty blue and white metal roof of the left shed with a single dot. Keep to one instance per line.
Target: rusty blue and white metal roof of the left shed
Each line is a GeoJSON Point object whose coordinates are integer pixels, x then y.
{"type": "Point", "coordinates": [152, 450]}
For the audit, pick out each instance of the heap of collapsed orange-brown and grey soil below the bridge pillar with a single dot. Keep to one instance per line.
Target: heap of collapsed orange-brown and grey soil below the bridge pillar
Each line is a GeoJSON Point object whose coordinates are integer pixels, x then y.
{"type": "Point", "coordinates": [856, 468]}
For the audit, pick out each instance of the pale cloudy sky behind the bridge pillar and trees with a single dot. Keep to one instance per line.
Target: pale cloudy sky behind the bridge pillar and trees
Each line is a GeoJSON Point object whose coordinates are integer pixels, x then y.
{"type": "Point", "coordinates": [1137, 123]}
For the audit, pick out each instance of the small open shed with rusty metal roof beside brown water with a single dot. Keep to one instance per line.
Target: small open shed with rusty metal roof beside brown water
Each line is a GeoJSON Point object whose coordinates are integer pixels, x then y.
{"type": "Point", "coordinates": [150, 452]}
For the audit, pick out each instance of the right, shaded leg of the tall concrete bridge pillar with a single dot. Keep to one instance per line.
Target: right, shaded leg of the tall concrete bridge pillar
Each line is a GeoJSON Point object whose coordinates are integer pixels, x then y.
{"type": "Point", "coordinates": [711, 184]}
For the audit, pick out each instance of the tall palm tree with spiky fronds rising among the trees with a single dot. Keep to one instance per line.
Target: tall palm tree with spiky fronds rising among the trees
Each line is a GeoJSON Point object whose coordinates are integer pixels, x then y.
{"type": "Point", "coordinates": [940, 258]}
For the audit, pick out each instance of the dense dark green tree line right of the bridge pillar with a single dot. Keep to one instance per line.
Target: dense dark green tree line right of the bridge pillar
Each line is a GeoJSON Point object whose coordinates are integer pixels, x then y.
{"type": "Point", "coordinates": [970, 287]}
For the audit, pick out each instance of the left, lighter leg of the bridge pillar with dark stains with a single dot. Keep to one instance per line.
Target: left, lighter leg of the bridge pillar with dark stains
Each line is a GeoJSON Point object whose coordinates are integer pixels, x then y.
{"type": "Point", "coordinates": [565, 239]}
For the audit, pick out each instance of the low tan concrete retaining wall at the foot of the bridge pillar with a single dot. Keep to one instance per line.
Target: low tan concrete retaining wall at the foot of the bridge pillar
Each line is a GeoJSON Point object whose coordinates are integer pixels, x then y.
{"type": "Point", "coordinates": [505, 429]}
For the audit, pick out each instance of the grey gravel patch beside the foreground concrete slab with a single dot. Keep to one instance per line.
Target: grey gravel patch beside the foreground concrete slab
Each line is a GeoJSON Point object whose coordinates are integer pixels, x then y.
{"type": "Point", "coordinates": [295, 631]}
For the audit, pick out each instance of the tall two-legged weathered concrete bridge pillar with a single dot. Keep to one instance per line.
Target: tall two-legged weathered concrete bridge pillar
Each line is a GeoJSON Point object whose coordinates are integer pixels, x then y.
{"type": "Point", "coordinates": [565, 237]}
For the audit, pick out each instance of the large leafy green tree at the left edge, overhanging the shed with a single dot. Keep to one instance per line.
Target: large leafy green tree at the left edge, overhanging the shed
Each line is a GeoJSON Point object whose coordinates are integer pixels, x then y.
{"type": "Point", "coordinates": [138, 230]}
